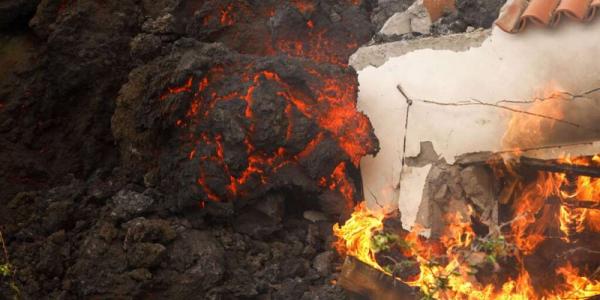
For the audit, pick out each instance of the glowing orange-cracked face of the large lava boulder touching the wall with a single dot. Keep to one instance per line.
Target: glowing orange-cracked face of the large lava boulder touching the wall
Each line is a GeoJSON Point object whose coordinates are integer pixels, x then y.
{"type": "Point", "coordinates": [270, 113]}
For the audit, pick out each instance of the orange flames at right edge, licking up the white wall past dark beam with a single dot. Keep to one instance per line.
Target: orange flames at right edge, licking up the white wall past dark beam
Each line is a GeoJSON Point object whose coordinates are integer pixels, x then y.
{"type": "Point", "coordinates": [528, 131]}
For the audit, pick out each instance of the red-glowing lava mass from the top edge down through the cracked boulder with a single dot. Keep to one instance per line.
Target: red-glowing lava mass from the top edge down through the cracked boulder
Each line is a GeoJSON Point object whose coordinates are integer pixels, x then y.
{"type": "Point", "coordinates": [277, 109]}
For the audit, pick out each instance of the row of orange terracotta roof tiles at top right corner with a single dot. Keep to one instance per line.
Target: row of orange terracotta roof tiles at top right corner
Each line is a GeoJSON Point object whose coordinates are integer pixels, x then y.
{"type": "Point", "coordinates": [516, 15]}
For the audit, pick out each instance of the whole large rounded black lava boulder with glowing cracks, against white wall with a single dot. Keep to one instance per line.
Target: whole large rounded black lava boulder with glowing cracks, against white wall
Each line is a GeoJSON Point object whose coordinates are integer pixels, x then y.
{"type": "Point", "coordinates": [229, 121]}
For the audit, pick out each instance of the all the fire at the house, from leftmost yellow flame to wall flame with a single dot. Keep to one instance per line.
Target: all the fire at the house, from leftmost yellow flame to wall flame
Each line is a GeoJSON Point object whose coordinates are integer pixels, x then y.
{"type": "Point", "coordinates": [549, 203]}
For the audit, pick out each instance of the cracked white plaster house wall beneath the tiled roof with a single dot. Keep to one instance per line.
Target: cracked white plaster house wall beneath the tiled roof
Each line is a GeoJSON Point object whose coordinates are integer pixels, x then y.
{"type": "Point", "coordinates": [460, 103]}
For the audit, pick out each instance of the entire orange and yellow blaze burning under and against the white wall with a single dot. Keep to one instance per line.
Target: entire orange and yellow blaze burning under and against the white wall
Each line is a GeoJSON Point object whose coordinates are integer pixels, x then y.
{"type": "Point", "coordinates": [447, 267]}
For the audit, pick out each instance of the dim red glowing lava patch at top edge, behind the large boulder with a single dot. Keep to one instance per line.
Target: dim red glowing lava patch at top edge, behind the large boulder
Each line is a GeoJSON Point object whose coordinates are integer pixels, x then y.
{"type": "Point", "coordinates": [299, 28]}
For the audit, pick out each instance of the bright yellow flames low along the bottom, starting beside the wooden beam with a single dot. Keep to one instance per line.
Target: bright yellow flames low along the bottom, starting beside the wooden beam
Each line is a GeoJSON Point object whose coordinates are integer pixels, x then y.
{"type": "Point", "coordinates": [452, 280]}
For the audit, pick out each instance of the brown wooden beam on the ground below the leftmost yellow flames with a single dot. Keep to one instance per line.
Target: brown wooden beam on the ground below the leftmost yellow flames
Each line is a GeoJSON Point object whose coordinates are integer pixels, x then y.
{"type": "Point", "coordinates": [361, 279]}
